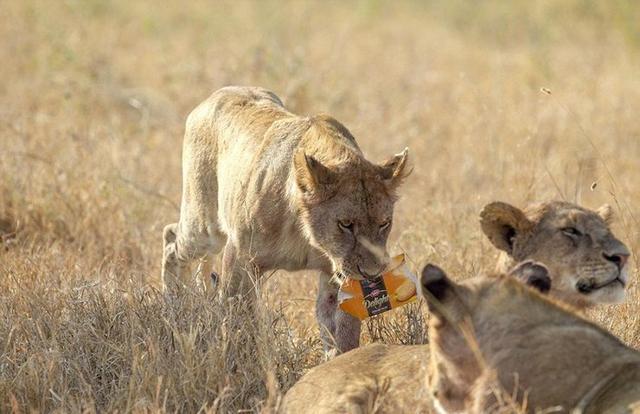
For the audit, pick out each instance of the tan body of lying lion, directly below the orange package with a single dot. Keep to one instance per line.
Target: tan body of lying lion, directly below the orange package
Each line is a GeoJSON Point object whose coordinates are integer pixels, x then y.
{"type": "Point", "coordinates": [375, 378]}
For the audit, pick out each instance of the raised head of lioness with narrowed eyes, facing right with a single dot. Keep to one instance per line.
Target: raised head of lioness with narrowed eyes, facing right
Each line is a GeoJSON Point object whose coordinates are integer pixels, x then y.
{"type": "Point", "coordinates": [587, 262]}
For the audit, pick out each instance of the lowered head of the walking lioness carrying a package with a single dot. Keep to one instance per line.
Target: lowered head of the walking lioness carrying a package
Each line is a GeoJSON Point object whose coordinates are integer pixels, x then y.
{"type": "Point", "coordinates": [347, 209]}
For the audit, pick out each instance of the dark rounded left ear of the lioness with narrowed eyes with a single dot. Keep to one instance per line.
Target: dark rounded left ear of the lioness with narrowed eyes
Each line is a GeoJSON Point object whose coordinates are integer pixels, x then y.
{"type": "Point", "coordinates": [502, 222]}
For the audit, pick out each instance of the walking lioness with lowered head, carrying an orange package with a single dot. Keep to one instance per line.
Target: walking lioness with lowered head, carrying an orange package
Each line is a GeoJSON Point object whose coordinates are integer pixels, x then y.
{"type": "Point", "coordinates": [280, 191]}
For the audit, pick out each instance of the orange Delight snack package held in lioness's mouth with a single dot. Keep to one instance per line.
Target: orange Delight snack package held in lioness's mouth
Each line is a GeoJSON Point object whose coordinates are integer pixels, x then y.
{"type": "Point", "coordinates": [364, 298]}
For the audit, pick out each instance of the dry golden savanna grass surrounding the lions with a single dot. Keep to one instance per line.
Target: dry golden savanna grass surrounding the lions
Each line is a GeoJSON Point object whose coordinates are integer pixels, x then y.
{"type": "Point", "coordinates": [93, 98]}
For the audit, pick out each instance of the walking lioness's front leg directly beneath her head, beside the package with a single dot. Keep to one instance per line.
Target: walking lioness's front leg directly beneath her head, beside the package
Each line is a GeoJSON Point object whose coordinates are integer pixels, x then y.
{"type": "Point", "coordinates": [340, 332]}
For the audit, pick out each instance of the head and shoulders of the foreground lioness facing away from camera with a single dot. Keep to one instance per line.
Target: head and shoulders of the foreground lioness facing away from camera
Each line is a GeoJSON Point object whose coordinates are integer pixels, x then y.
{"type": "Point", "coordinates": [492, 334]}
